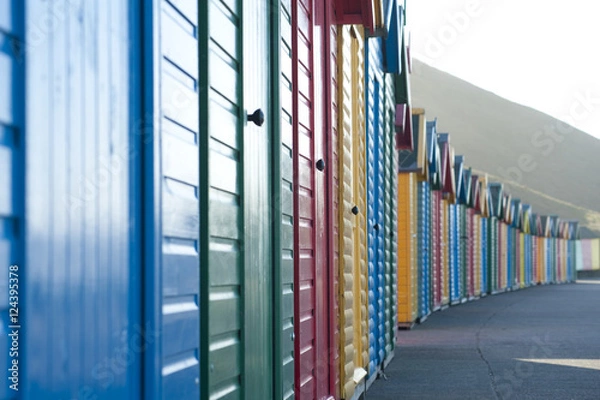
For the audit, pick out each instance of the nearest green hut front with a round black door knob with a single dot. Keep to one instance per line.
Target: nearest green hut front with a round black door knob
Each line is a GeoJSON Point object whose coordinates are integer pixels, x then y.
{"type": "Point", "coordinates": [246, 203]}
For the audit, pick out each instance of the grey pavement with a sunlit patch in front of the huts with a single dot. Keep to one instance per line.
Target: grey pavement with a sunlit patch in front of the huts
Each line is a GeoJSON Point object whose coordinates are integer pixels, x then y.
{"type": "Point", "coordinates": [537, 343]}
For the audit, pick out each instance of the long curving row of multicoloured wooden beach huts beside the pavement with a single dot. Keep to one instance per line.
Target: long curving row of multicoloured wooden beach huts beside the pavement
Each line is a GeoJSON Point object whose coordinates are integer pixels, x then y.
{"type": "Point", "coordinates": [232, 199]}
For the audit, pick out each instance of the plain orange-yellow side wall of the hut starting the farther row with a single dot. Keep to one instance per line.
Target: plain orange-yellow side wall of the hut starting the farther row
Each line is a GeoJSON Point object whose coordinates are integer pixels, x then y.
{"type": "Point", "coordinates": [407, 276]}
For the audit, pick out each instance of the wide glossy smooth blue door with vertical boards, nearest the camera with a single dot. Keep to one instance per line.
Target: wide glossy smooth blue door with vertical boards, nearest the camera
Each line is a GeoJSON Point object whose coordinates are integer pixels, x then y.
{"type": "Point", "coordinates": [81, 230]}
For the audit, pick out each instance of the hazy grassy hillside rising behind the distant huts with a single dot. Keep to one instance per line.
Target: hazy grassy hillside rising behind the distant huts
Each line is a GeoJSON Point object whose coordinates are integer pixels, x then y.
{"type": "Point", "coordinates": [560, 165]}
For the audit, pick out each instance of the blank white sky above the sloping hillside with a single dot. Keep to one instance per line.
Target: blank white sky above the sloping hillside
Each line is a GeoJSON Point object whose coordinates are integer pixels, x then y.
{"type": "Point", "coordinates": [541, 53]}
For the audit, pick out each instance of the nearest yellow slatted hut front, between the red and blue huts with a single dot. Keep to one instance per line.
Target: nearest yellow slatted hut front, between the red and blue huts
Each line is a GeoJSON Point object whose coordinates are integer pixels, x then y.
{"type": "Point", "coordinates": [352, 236]}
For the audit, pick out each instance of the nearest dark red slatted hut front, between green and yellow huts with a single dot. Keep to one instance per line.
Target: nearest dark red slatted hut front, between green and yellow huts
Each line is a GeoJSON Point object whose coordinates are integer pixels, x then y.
{"type": "Point", "coordinates": [315, 307]}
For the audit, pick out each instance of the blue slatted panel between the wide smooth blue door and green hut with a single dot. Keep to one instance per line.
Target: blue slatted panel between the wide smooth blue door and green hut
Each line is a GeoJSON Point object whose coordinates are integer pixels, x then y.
{"type": "Point", "coordinates": [171, 182]}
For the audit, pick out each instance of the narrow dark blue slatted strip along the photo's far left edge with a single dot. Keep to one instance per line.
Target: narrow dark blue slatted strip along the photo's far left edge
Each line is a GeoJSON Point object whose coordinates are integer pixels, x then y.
{"type": "Point", "coordinates": [12, 190]}
